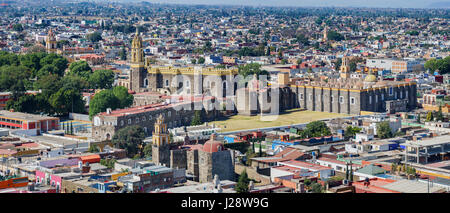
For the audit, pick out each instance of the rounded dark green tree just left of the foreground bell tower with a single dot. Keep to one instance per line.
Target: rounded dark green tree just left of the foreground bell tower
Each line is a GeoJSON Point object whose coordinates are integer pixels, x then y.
{"type": "Point", "coordinates": [130, 138]}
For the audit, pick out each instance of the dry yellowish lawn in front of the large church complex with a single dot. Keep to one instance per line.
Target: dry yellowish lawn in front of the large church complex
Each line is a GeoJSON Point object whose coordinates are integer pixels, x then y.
{"type": "Point", "coordinates": [295, 116]}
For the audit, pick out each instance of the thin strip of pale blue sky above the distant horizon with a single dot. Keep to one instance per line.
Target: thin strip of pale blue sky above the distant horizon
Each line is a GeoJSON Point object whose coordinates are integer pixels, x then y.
{"type": "Point", "coordinates": [319, 3]}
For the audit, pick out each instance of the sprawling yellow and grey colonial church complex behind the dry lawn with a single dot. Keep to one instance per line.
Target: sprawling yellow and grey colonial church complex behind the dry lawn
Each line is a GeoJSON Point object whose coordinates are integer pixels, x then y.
{"type": "Point", "coordinates": [336, 95]}
